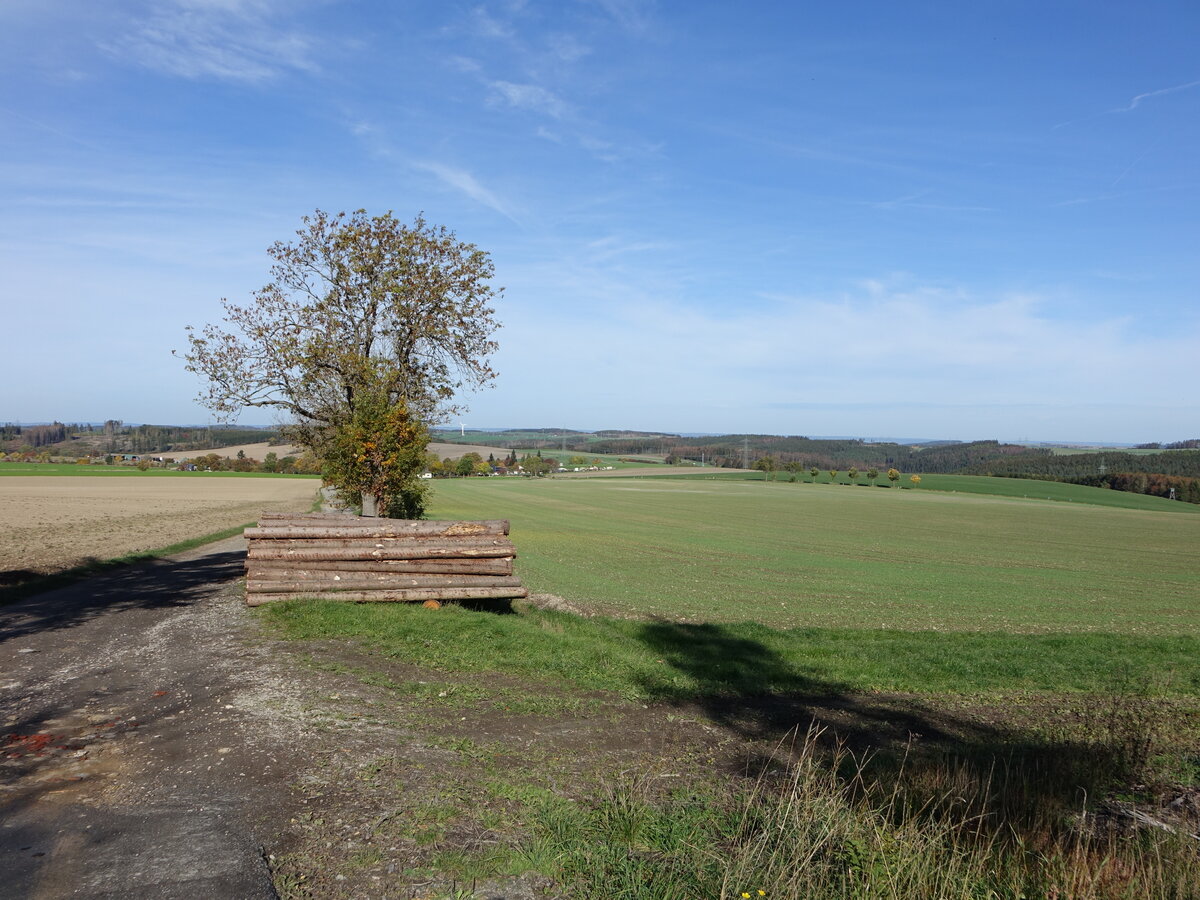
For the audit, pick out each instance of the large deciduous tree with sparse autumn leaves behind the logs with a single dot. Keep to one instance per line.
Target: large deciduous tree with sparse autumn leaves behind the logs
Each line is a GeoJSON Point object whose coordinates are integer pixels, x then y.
{"type": "Point", "coordinates": [363, 339]}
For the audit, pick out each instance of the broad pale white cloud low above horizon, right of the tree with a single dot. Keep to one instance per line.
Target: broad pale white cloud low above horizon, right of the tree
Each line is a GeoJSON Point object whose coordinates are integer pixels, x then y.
{"type": "Point", "coordinates": [885, 341]}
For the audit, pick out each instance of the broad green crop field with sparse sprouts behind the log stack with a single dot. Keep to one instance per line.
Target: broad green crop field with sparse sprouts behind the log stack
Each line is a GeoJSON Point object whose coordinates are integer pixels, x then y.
{"type": "Point", "coordinates": [829, 556]}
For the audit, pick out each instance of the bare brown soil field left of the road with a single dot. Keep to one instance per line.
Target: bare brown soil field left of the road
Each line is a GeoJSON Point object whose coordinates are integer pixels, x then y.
{"type": "Point", "coordinates": [53, 524]}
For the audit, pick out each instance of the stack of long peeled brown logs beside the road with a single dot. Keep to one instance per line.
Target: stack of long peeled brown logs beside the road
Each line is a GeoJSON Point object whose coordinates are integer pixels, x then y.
{"type": "Point", "coordinates": [340, 557]}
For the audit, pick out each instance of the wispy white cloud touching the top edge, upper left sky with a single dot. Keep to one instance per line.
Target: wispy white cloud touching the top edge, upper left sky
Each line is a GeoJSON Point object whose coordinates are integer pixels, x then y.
{"type": "Point", "coordinates": [224, 40]}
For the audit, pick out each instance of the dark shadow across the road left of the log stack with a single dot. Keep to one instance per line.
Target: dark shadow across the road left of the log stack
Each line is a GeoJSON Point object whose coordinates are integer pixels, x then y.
{"type": "Point", "coordinates": [147, 585]}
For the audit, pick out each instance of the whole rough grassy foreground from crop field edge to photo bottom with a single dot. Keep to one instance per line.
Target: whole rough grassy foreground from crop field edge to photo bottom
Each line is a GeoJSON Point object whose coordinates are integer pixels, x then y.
{"type": "Point", "coordinates": [1005, 805]}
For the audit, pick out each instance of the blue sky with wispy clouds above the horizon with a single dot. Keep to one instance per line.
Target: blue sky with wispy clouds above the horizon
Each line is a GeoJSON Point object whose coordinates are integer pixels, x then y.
{"type": "Point", "coordinates": [941, 220]}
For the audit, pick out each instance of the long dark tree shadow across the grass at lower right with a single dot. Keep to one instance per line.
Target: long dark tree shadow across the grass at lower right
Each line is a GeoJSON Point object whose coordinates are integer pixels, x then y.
{"type": "Point", "coordinates": [751, 691]}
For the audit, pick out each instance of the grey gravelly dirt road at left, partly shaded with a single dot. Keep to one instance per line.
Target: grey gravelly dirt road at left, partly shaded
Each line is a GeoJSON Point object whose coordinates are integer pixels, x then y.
{"type": "Point", "coordinates": [142, 748]}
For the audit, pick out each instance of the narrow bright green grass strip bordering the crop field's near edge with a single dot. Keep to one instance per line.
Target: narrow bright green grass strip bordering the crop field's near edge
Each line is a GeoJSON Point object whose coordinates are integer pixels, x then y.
{"type": "Point", "coordinates": [676, 662]}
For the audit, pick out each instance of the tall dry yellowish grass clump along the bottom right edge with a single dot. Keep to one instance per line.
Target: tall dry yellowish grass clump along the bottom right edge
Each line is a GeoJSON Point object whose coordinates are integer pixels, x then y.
{"type": "Point", "coordinates": [827, 829]}
